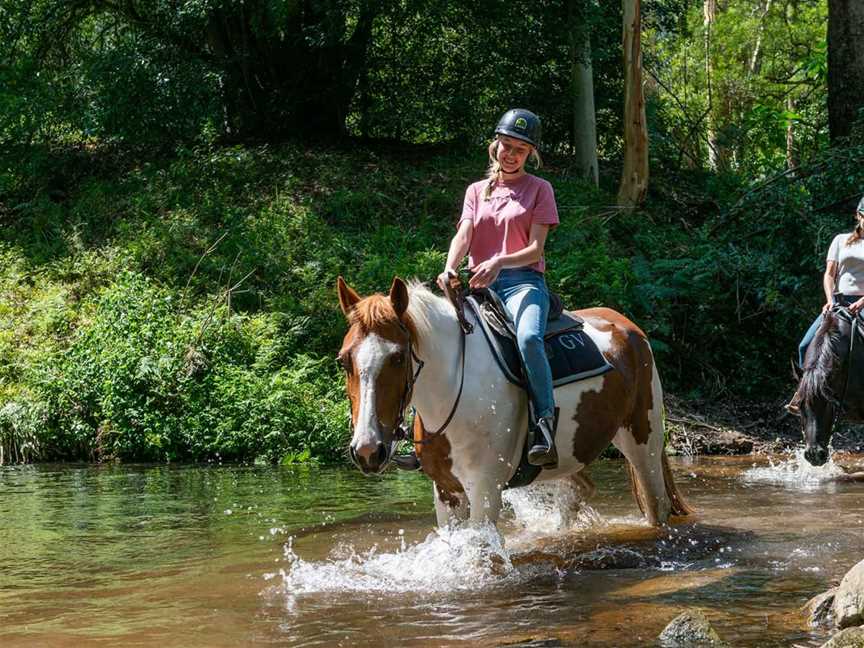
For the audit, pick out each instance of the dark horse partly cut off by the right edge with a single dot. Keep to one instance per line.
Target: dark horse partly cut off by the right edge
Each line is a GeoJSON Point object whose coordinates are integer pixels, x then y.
{"type": "Point", "coordinates": [832, 381]}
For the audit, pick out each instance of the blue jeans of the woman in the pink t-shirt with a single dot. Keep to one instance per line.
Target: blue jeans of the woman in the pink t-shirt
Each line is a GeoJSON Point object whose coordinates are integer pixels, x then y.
{"type": "Point", "coordinates": [526, 296]}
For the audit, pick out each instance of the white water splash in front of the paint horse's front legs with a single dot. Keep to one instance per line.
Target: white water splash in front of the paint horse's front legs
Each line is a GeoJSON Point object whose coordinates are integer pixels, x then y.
{"type": "Point", "coordinates": [448, 560]}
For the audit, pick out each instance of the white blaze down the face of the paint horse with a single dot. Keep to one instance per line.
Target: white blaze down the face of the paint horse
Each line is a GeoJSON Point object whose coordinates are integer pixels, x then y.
{"type": "Point", "coordinates": [369, 360]}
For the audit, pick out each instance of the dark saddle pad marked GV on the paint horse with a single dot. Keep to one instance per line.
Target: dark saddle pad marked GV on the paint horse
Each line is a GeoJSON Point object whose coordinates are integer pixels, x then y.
{"type": "Point", "coordinates": [572, 353]}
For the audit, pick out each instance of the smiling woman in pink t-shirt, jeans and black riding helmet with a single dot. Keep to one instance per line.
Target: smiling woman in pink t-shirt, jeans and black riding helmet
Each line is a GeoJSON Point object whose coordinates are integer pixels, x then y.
{"type": "Point", "coordinates": [503, 227]}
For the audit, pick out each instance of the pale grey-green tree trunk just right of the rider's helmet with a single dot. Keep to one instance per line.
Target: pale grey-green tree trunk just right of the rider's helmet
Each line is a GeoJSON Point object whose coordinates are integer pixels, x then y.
{"type": "Point", "coordinates": [584, 119]}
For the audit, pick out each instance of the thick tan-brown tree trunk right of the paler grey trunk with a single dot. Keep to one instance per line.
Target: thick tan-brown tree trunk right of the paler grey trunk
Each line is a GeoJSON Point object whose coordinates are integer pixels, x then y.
{"type": "Point", "coordinates": [634, 178]}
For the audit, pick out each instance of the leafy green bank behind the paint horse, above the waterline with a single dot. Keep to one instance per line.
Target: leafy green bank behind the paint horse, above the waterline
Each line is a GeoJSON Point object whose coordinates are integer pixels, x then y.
{"type": "Point", "coordinates": [182, 307]}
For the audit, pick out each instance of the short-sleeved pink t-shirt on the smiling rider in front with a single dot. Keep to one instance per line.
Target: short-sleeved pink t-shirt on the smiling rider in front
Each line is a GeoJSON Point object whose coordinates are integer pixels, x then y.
{"type": "Point", "coordinates": [502, 223]}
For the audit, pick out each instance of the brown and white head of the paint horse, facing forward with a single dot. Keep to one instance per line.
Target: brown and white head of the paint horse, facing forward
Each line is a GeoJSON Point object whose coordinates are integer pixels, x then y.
{"type": "Point", "coordinates": [376, 357]}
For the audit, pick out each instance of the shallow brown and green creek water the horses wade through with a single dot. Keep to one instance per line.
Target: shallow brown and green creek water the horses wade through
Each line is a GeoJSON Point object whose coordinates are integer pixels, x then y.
{"type": "Point", "coordinates": [298, 556]}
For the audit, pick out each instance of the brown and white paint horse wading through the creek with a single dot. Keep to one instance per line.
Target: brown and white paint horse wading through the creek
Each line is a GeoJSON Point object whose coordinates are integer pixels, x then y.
{"type": "Point", "coordinates": [478, 452]}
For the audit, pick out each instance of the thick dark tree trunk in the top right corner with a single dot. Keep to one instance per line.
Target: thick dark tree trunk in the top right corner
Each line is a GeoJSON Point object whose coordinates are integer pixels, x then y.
{"type": "Point", "coordinates": [845, 65]}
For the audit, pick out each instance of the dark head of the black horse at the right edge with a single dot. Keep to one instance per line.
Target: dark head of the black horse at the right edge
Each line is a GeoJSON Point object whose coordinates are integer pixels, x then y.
{"type": "Point", "coordinates": [822, 385]}
